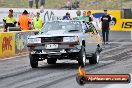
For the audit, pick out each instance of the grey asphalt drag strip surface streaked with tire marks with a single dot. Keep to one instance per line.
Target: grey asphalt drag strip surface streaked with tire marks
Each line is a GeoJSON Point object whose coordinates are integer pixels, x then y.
{"type": "Point", "coordinates": [116, 58]}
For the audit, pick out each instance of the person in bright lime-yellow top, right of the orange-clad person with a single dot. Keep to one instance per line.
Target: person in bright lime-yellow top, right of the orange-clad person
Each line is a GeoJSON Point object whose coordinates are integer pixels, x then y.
{"type": "Point", "coordinates": [37, 22]}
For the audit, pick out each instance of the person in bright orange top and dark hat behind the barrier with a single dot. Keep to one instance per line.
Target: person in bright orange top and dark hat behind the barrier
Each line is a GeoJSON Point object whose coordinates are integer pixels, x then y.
{"type": "Point", "coordinates": [24, 21]}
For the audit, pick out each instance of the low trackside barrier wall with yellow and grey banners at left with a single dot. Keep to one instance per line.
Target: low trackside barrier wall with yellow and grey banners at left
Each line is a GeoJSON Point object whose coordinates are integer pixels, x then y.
{"type": "Point", "coordinates": [14, 43]}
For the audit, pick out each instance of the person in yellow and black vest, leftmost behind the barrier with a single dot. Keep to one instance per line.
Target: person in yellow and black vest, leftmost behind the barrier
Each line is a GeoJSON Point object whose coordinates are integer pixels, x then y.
{"type": "Point", "coordinates": [9, 21]}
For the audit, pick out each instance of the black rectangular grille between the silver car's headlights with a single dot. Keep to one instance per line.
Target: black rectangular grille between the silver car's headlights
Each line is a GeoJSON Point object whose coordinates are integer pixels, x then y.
{"type": "Point", "coordinates": [52, 39]}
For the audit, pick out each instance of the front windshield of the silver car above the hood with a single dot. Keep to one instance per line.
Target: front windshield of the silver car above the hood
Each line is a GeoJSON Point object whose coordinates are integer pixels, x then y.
{"type": "Point", "coordinates": [67, 26]}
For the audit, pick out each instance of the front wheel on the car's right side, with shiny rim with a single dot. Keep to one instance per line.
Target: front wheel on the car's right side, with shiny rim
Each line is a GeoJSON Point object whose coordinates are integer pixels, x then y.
{"type": "Point", "coordinates": [82, 57]}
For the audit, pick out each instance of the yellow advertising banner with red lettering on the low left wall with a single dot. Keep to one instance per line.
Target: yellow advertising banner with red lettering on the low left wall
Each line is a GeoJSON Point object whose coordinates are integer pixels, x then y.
{"type": "Point", "coordinates": [7, 48]}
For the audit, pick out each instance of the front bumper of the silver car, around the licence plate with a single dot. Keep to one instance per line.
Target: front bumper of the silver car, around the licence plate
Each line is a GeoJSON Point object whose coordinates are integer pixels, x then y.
{"type": "Point", "coordinates": [63, 48]}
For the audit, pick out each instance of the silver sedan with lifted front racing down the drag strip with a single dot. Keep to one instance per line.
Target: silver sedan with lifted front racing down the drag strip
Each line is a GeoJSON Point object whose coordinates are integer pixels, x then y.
{"type": "Point", "coordinates": [58, 40]}
